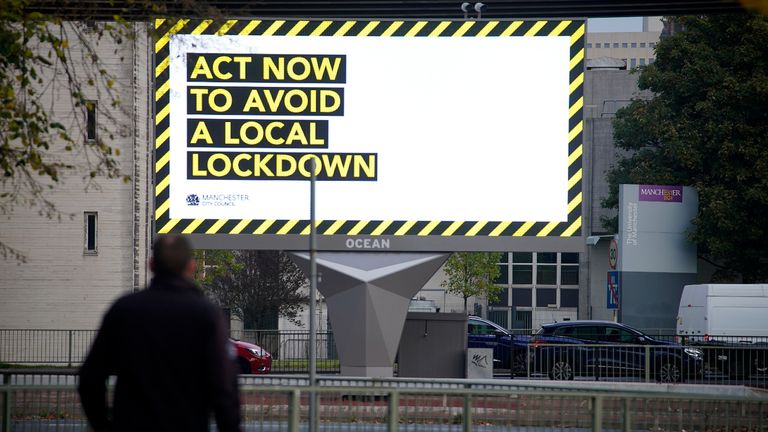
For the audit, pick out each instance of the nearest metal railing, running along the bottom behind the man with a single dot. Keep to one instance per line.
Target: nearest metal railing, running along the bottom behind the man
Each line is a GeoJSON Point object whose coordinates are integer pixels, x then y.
{"type": "Point", "coordinates": [449, 405]}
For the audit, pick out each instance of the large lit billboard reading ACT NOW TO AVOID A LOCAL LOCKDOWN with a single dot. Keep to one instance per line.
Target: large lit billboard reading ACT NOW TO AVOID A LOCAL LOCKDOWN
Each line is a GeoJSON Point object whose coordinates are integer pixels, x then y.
{"type": "Point", "coordinates": [425, 135]}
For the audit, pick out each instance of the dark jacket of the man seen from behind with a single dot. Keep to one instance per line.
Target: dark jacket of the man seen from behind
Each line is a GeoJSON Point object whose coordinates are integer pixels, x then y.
{"type": "Point", "coordinates": [169, 349]}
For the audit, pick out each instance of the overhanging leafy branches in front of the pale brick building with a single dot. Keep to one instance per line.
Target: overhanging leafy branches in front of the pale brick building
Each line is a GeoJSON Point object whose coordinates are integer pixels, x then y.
{"type": "Point", "coordinates": [39, 55]}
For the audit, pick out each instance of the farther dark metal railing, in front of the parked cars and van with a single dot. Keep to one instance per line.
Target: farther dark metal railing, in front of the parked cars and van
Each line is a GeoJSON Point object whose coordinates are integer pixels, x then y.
{"type": "Point", "coordinates": [726, 360]}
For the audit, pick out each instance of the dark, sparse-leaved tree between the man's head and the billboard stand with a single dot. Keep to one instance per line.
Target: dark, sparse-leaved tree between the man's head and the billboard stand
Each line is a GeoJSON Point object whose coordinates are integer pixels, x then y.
{"type": "Point", "coordinates": [258, 286]}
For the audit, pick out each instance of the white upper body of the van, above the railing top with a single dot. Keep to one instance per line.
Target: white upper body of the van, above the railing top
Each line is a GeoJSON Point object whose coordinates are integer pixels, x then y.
{"type": "Point", "coordinates": [714, 311]}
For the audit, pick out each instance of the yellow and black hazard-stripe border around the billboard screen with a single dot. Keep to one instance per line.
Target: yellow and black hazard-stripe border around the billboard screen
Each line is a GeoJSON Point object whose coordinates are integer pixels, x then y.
{"type": "Point", "coordinates": [165, 28]}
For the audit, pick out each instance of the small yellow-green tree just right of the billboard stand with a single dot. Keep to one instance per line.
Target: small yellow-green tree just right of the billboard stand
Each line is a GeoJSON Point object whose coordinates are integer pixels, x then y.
{"type": "Point", "coordinates": [472, 274]}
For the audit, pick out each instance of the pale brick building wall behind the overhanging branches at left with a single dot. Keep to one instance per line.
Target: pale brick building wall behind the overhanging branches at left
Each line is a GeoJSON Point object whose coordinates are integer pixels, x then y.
{"type": "Point", "coordinates": [77, 265]}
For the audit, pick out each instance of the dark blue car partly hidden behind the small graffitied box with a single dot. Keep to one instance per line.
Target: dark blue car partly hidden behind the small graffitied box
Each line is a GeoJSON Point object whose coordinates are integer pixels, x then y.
{"type": "Point", "coordinates": [509, 351]}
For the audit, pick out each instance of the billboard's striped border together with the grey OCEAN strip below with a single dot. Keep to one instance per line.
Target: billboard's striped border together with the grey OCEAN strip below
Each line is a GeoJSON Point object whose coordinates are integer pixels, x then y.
{"type": "Point", "coordinates": [378, 235]}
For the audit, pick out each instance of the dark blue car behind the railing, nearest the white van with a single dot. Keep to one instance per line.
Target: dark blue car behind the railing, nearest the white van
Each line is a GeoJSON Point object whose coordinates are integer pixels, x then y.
{"type": "Point", "coordinates": [603, 348]}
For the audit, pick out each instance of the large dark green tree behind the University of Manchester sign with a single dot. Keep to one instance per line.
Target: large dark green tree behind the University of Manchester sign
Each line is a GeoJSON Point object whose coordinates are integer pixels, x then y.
{"type": "Point", "coordinates": [707, 127]}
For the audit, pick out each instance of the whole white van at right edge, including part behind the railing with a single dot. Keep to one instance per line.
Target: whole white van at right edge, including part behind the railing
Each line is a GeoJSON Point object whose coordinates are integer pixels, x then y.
{"type": "Point", "coordinates": [730, 323]}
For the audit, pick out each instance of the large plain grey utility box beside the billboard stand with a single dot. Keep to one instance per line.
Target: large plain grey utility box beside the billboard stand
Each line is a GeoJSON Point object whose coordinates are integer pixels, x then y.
{"type": "Point", "coordinates": [433, 345]}
